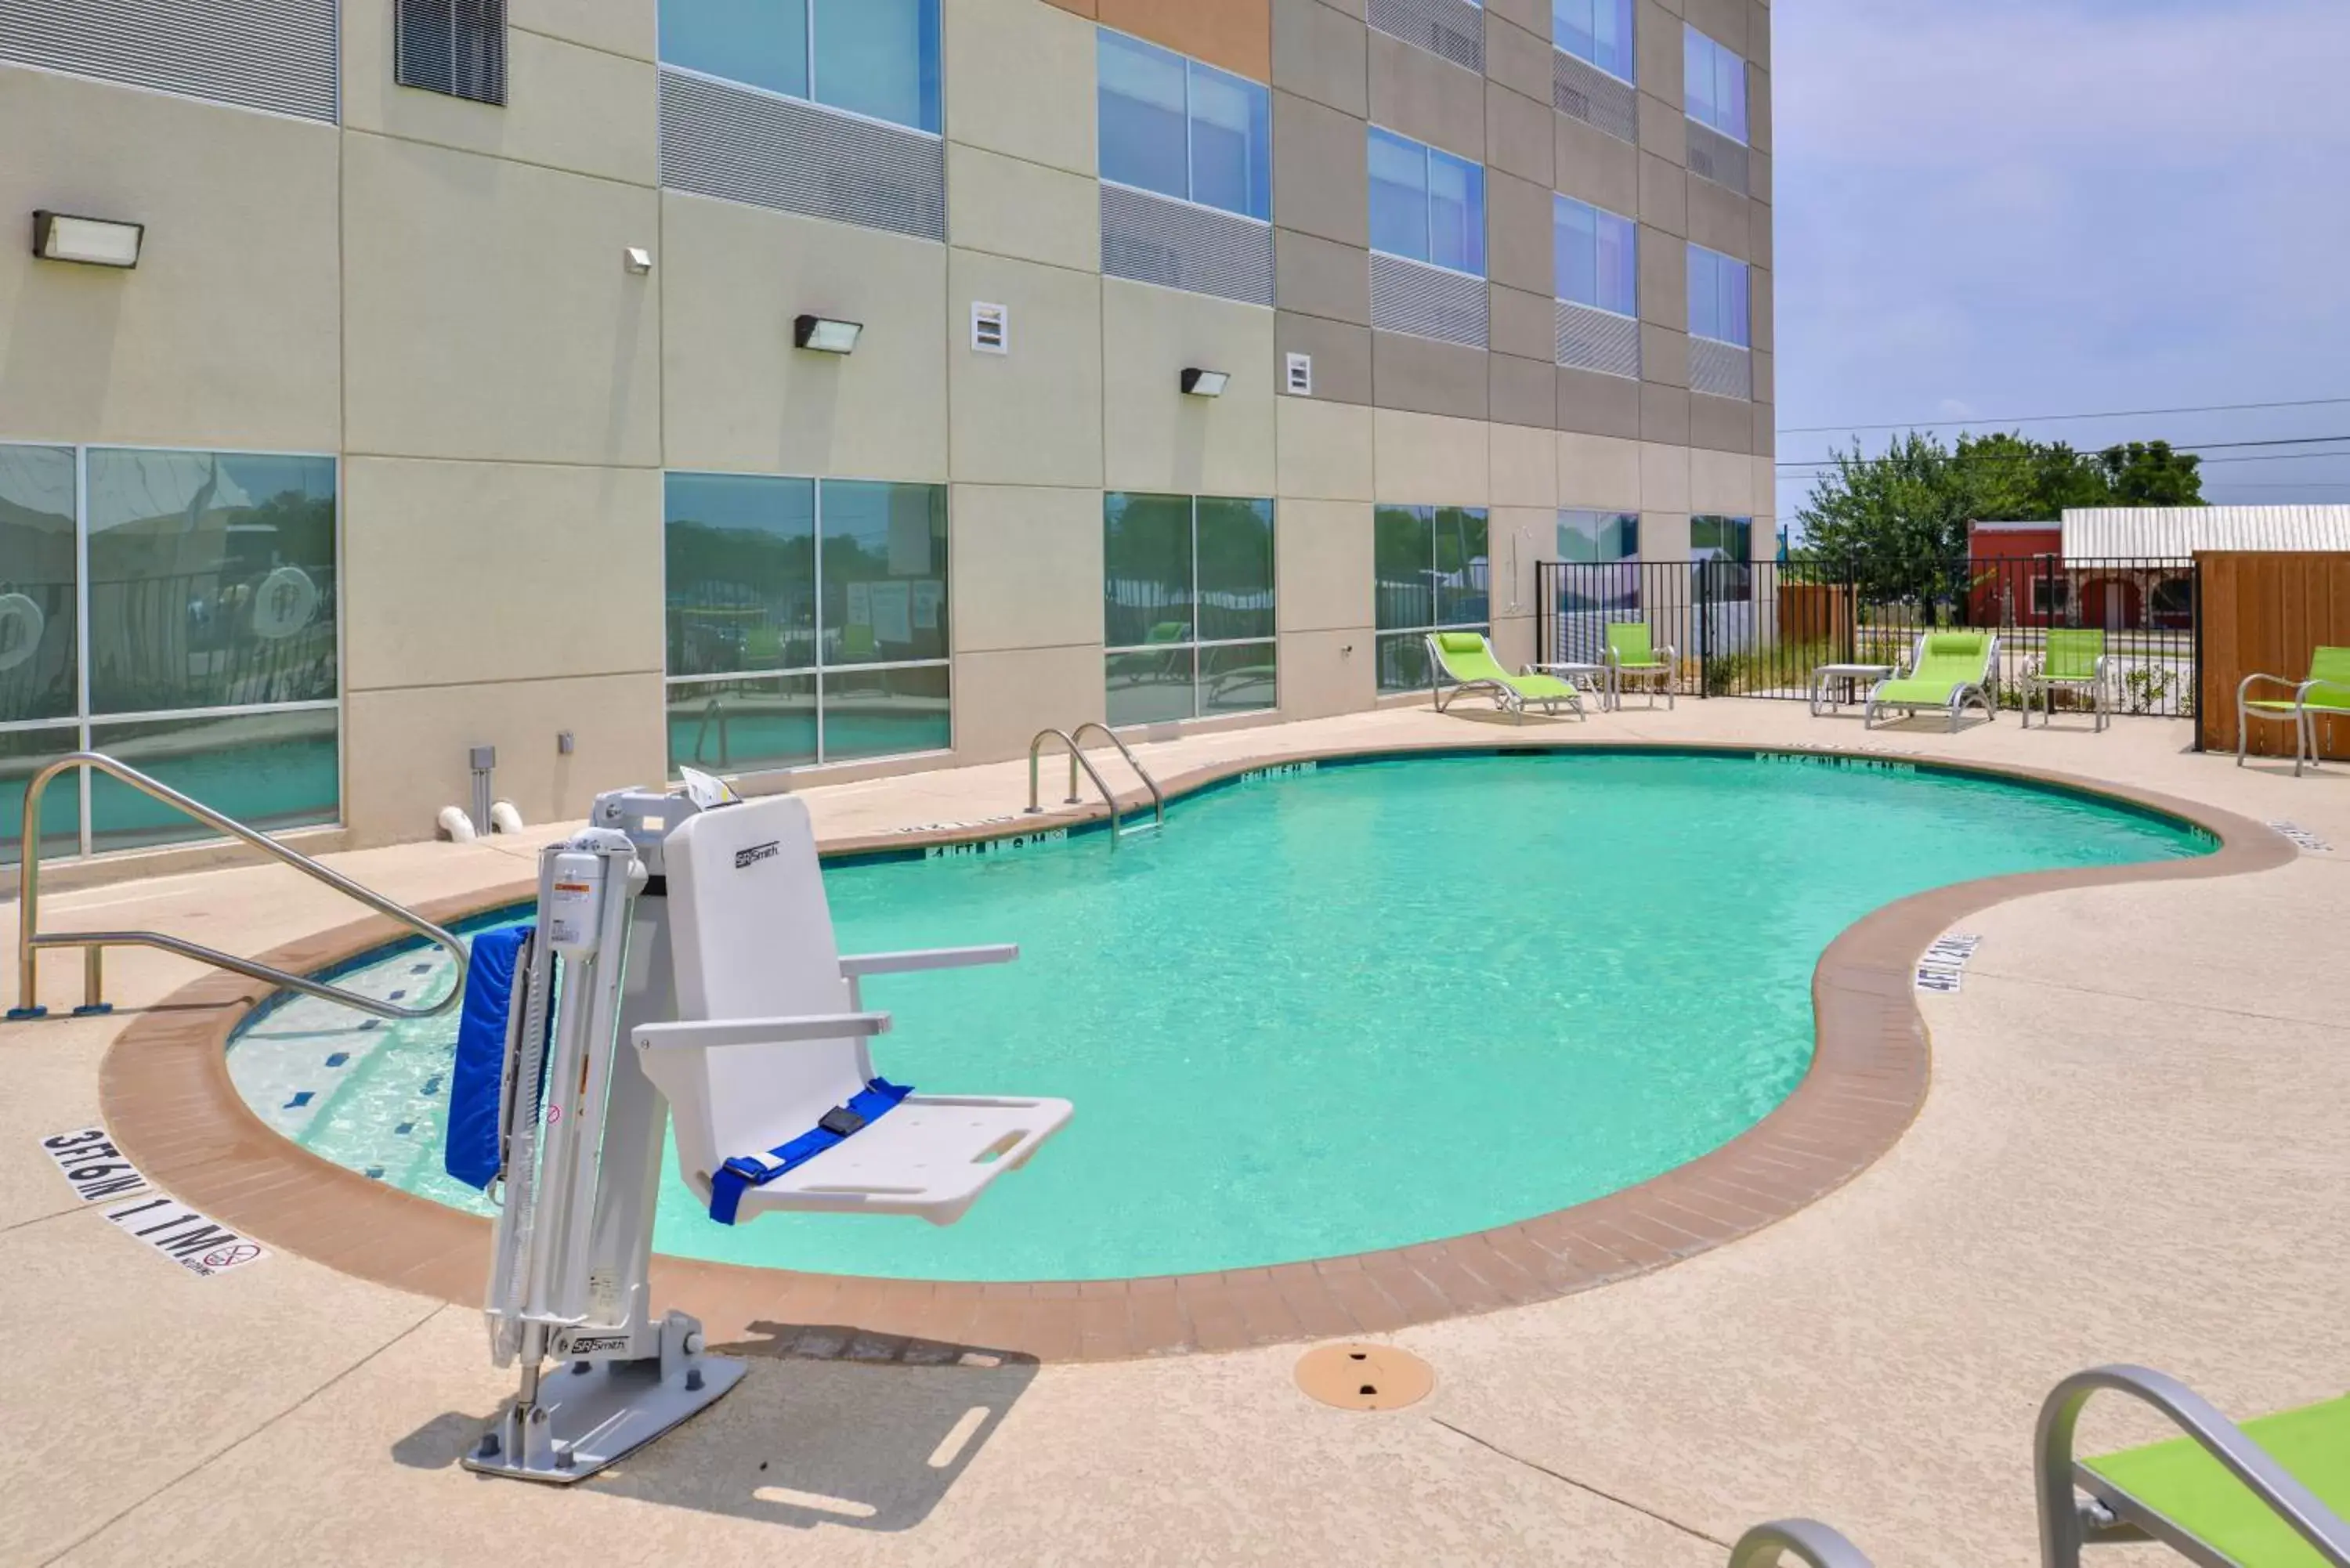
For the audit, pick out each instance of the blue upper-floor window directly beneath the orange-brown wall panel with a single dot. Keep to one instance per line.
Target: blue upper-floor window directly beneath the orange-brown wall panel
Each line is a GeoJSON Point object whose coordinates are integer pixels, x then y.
{"type": "Point", "coordinates": [1186, 130]}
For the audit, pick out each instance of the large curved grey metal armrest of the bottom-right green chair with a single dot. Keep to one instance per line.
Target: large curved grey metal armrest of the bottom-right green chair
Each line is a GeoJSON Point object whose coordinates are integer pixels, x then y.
{"type": "Point", "coordinates": [2062, 1529]}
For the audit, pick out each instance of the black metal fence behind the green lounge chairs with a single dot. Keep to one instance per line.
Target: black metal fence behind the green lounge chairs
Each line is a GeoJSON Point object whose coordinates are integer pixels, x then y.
{"type": "Point", "coordinates": [1766, 629]}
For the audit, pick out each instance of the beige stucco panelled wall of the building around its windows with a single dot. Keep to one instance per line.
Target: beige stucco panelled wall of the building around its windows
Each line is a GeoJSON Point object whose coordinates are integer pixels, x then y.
{"type": "Point", "coordinates": [436, 290]}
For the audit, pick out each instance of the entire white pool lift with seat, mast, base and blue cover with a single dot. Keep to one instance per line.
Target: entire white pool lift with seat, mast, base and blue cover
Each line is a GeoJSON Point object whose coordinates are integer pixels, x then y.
{"type": "Point", "coordinates": [683, 967]}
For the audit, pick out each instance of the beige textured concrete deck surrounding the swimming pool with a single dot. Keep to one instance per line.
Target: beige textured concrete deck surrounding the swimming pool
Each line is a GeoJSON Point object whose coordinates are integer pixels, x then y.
{"type": "Point", "coordinates": [2128, 1151]}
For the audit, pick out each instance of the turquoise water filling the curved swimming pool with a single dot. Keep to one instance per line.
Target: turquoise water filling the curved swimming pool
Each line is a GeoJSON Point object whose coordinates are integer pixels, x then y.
{"type": "Point", "coordinates": [1327, 1012]}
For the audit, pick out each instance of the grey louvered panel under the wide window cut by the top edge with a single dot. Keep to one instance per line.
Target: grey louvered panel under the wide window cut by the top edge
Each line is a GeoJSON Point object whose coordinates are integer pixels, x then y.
{"type": "Point", "coordinates": [753, 147]}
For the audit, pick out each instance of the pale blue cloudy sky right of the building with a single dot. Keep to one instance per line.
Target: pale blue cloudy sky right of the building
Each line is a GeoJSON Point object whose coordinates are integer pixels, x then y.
{"type": "Point", "coordinates": [2015, 208]}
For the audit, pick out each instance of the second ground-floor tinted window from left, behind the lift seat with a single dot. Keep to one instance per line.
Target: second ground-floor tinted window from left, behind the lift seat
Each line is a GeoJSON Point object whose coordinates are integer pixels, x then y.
{"type": "Point", "coordinates": [807, 622]}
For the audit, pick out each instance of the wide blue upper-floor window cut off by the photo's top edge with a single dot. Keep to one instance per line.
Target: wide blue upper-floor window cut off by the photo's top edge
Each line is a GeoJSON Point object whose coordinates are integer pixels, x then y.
{"type": "Point", "coordinates": [871, 58]}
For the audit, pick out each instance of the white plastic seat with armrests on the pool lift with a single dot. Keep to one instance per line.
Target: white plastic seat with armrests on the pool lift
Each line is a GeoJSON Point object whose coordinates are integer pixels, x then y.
{"type": "Point", "coordinates": [772, 1036]}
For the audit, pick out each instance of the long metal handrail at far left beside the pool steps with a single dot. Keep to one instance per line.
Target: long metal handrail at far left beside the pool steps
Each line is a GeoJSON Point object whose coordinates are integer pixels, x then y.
{"type": "Point", "coordinates": [32, 939]}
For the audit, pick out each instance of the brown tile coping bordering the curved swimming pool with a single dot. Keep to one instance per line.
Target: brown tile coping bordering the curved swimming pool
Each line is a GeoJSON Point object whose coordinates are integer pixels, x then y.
{"type": "Point", "coordinates": [173, 1111]}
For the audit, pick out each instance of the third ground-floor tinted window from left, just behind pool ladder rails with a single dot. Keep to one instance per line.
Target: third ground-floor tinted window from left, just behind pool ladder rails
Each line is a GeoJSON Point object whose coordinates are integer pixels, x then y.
{"type": "Point", "coordinates": [1188, 608]}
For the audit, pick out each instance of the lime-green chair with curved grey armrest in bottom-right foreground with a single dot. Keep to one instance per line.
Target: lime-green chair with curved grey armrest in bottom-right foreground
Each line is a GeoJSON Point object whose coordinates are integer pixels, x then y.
{"type": "Point", "coordinates": [2269, 1494]}
